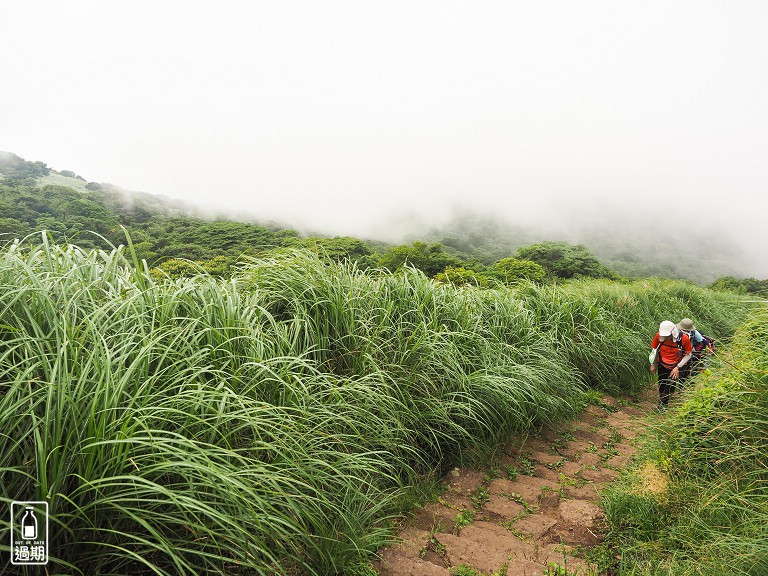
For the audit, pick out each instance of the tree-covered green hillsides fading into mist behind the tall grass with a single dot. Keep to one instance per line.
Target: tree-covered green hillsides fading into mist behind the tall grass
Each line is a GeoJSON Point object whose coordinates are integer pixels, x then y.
{"type": "Point", "coordinates": [176, 238]}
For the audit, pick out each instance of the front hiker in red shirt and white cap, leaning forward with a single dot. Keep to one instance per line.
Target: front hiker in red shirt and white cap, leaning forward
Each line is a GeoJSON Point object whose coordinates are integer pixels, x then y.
{"type": "Point", "coordinates": [673, 351]}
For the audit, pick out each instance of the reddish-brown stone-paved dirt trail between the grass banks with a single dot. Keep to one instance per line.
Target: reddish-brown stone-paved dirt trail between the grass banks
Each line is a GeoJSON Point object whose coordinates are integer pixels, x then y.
{"type": "Point", "coordinates": [538, 506]}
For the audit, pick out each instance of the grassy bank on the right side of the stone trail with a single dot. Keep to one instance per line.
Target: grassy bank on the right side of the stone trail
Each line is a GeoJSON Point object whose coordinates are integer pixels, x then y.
{"type": "Point", "coordinates": [712, 452]}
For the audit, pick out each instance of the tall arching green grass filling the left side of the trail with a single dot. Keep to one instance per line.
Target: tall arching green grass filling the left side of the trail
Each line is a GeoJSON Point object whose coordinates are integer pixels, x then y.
{"type": "Point", "coordinates": [271, 423]}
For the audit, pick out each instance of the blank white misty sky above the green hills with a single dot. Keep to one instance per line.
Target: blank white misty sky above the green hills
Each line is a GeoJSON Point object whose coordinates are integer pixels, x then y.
{"type": "Point", "coordinates": [353, 116]}
